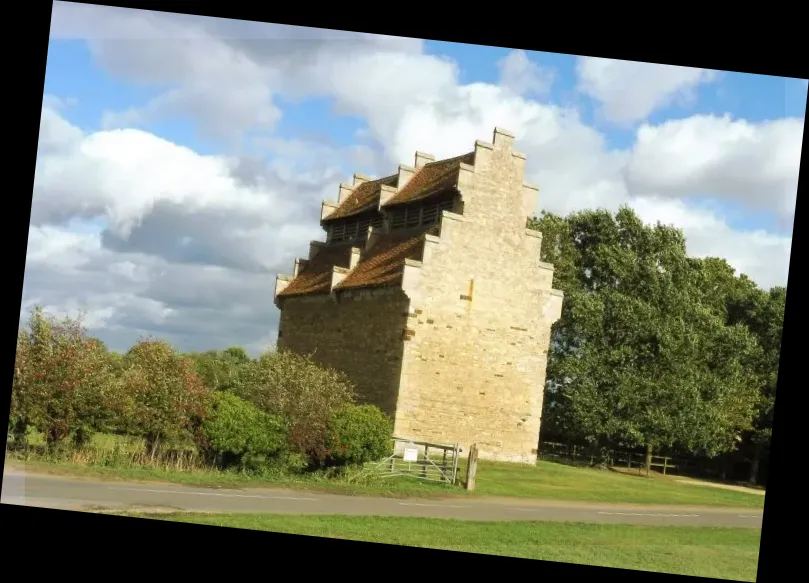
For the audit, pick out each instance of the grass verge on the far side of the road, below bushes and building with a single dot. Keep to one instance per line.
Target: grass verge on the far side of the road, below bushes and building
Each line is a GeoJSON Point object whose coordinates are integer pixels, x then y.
{"type": "Point", "coordinates": [546, 480]}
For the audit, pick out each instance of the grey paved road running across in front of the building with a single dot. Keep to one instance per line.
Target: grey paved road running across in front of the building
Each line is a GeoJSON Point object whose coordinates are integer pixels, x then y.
{"type": "Point", "coordinates": [83, 494]}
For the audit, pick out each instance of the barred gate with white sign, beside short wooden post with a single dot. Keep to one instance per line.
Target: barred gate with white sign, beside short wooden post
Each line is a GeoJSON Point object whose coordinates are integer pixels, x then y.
{"type": "Point", "coordinates": [434, 462]}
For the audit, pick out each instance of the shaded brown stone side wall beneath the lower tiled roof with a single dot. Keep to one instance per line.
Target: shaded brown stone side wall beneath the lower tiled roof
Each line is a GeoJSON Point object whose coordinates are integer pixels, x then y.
{"type": "Point", "coordinates": [361, 336]}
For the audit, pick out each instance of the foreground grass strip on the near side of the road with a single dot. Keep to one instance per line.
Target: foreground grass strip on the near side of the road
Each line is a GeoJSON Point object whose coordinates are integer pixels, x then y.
{"type": "Point", "coordinates": [726, 553]}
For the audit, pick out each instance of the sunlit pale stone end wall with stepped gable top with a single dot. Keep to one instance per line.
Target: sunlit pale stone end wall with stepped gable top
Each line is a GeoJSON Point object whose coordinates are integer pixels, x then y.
{"type": "Point", "coordinates": [480, 316]}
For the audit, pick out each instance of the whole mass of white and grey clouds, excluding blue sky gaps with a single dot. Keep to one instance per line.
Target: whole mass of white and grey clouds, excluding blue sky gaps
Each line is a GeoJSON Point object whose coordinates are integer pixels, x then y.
{"type": "Point", "coordinates": [151, 237]}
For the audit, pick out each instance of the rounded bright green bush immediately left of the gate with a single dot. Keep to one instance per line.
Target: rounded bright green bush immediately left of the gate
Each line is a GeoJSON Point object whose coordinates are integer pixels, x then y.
{"type": "Point", "coordinates": [357, 434]}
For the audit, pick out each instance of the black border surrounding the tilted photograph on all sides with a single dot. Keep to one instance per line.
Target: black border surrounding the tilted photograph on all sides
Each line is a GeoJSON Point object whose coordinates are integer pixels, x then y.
{"type": "Point", "coordinates": [75, 540]}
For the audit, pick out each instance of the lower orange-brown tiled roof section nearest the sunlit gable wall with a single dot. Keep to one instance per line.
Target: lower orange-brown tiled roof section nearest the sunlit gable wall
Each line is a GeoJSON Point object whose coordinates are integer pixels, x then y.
{"type": "Point", "coordinates": [383, 264]}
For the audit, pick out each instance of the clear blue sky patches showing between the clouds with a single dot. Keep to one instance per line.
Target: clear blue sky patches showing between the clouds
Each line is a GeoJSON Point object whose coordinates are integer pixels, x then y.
{"type": "Point", "coordinates": [73, 74]}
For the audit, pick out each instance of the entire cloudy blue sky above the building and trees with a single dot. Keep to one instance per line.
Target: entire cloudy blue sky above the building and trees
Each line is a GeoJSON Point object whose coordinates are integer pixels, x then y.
{"type": "Point", "coordinates": [151, 192]}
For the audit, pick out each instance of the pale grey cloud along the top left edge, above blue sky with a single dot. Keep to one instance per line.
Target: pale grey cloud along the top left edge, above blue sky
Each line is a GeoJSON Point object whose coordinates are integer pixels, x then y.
{"type": "Point", "coordinates": [222, 73]}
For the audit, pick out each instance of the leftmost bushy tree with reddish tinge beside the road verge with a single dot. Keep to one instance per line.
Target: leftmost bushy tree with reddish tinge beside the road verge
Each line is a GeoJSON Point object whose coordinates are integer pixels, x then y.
{"type": "Point", "coordinates": [61, 380]}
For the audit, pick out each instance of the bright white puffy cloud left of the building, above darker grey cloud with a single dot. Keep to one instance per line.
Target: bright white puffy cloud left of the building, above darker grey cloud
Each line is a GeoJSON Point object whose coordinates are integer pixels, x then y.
{"type": "Point", "coordinates": [130, 177]}
